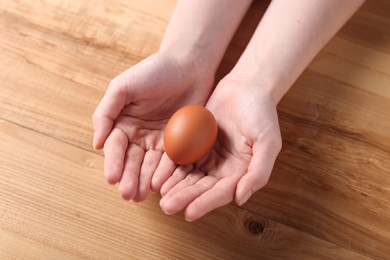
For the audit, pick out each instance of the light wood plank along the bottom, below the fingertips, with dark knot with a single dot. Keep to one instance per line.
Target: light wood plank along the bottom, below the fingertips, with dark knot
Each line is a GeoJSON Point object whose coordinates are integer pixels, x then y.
{"type": "Point", "coordinates": [55, 204]}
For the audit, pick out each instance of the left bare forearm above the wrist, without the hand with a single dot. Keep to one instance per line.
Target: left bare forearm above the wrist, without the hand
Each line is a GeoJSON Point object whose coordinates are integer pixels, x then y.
{"type": "Point", "coordinates": [203, 29]}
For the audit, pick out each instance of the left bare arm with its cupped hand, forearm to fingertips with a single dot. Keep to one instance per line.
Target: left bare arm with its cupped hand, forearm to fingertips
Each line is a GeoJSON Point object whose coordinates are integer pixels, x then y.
{"type": "Point", "coordinates": [130, 119]}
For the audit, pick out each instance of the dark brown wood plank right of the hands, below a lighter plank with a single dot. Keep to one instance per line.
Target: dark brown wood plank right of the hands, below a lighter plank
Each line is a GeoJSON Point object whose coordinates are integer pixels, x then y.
{"type": "Point", "coordinates": [332, 176]}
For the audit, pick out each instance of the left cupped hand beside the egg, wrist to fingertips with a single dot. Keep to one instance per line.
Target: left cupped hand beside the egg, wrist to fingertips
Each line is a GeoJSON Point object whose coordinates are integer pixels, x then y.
{"type": "Point", "coordinates": [130, 120]}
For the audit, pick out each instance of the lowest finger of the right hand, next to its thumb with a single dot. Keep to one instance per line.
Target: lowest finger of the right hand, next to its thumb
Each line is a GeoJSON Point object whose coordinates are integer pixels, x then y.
{"type": "Point", "coordinates": [219, 195]}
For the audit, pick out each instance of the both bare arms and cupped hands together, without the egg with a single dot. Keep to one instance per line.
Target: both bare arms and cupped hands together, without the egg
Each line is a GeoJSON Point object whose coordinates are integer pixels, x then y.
{"type": "Point", "coordinates": [130, 119]}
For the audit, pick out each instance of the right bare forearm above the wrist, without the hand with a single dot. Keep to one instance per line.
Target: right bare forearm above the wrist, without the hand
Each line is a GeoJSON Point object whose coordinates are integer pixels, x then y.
{"type": "Point", "coordinates": [290, 34]}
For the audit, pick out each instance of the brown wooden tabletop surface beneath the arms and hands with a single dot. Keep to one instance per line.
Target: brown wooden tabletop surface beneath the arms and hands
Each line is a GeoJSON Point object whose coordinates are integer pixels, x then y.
{"type": "Point", "coordinates": [329, 194]}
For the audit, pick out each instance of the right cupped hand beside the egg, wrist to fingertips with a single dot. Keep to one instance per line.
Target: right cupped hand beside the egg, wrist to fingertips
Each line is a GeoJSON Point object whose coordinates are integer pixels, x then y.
{"type": "Point", "coordinates": [241, 161]}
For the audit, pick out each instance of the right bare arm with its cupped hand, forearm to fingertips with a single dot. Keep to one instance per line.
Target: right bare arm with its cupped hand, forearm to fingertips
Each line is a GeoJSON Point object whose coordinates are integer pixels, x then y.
{"type": "Point", "coordinates": [244, 104]}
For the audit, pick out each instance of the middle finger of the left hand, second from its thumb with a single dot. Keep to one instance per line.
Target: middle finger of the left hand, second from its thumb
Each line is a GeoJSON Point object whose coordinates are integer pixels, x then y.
{"type": "Point", "coordinates": [128, 185]}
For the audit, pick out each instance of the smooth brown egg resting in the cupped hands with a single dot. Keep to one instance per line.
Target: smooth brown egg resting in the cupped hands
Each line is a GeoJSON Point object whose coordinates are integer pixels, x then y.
{"type": "Point", "coordinates": [190, 134]}
